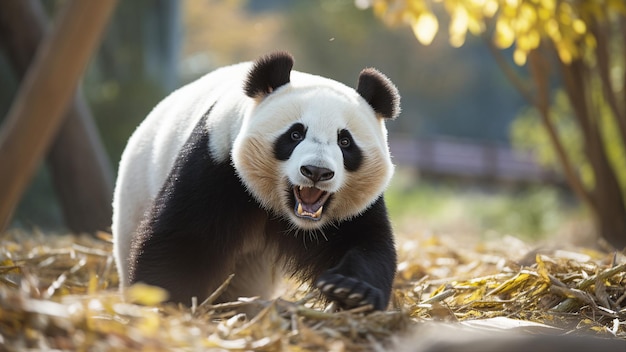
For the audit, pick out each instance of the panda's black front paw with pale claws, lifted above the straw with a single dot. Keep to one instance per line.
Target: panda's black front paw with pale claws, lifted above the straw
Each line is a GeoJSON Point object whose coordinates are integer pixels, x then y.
{"type": "Point", "coordinates": [349, 292]}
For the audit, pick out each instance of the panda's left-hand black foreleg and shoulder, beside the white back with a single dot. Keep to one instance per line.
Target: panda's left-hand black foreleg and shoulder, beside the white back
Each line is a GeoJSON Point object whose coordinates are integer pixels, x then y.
{"type": "Point", "coordinates": [185, 244]}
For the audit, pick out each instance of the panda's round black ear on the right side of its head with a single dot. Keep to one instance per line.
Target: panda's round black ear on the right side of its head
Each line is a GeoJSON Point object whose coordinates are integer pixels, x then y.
{"type": "Point", "coordinates": [379, 92]}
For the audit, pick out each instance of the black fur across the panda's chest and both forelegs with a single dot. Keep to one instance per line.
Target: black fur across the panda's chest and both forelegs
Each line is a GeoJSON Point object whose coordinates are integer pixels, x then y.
{"type": "Point", "coordinates": [190, 239]}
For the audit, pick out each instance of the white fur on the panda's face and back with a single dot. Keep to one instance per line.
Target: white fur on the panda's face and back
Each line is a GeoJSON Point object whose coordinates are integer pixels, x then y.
{"type": "Point", "coordinates": [323, 105]}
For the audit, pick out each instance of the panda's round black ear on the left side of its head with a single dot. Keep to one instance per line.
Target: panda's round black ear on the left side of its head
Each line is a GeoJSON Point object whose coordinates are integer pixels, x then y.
{"type": "Point", "coordinates": [268, 73]}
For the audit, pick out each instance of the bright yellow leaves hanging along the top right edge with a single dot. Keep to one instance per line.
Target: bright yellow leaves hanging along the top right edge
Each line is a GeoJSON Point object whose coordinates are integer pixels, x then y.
{"type": "Point", "coordinates": [523, 23]}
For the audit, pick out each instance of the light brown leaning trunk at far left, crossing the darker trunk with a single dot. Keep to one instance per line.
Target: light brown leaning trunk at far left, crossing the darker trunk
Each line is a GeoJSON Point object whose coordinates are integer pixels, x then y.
{"type": "Point", "coordinates": [38, 109]}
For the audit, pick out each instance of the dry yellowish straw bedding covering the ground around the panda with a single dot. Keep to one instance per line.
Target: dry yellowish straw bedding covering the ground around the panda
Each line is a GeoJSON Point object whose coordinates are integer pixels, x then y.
{"type": "Point", "coordinates": [59, 292]}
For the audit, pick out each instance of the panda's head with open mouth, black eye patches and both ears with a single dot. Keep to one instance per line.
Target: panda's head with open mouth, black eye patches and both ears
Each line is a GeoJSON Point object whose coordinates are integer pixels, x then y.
{"type": "Point", "coordinates": [312, 150]}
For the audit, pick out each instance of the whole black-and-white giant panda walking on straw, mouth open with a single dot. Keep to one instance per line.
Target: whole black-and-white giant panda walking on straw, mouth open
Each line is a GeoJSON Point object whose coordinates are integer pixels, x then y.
{"type": "Point", "coordinates": [259, 170]}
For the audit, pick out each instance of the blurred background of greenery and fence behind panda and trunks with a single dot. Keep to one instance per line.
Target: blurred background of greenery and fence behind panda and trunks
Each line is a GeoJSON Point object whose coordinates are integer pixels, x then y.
{"type": "Point", "coordinates": [466, 145]}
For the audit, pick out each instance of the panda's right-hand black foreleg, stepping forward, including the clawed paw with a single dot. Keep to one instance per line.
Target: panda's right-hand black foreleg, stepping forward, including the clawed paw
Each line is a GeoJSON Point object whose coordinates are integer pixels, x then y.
{"type": "Point", "coordinates": [365, 273]}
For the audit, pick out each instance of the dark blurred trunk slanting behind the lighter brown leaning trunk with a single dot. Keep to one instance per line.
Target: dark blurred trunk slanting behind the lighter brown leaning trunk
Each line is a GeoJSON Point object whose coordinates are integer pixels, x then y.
{"type": "Point", "coordinates": [80, 170]}
